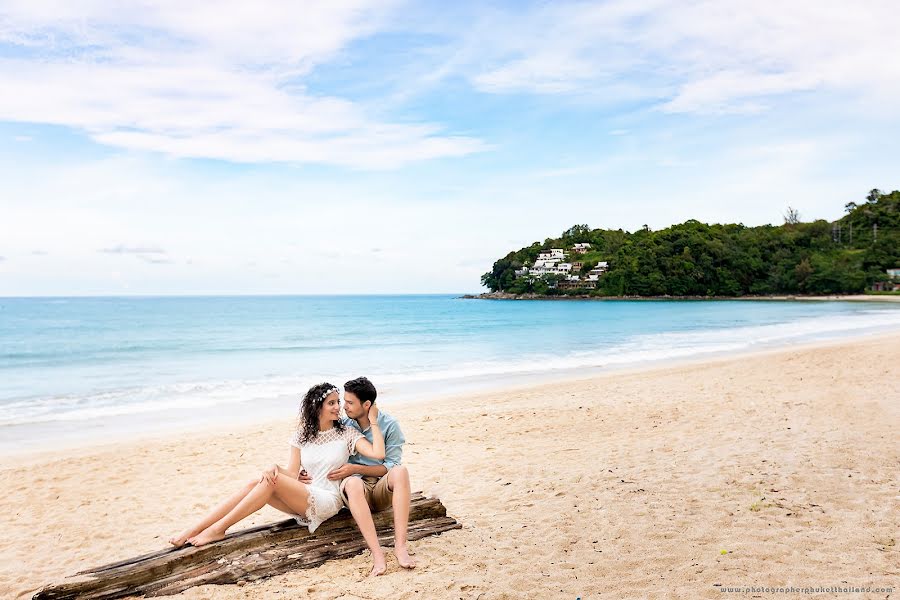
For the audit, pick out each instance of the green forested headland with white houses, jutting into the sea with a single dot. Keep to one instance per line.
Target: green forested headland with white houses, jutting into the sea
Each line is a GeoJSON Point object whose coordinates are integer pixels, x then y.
{"type": "Point", "coordinates": [844, 256]}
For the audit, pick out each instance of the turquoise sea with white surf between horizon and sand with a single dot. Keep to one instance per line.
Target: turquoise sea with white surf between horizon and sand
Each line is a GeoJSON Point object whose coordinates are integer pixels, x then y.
{"type": "Point", "coordinates": [83, 369]}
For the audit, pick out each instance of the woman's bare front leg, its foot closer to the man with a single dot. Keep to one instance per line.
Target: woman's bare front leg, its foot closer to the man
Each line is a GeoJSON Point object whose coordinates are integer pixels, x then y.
{"type": "Point", "coordinates": [287, 493]}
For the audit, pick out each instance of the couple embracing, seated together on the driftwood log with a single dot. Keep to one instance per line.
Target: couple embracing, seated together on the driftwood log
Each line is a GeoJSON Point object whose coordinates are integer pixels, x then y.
{"type": "Point", "coordinates": [353, 461]}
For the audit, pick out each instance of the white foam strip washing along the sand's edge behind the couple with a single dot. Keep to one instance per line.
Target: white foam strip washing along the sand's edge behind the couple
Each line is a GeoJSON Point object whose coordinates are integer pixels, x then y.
{"type": "Point", "coordinates": [639, 349]}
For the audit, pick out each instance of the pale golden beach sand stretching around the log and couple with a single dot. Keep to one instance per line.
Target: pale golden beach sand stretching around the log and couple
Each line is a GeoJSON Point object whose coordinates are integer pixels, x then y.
{"type": "Point", "coordinates": [625, 485]}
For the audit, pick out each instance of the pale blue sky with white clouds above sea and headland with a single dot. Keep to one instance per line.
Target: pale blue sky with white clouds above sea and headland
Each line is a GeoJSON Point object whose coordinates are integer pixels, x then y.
{"type": "Point", "coordinates": [355, 147]}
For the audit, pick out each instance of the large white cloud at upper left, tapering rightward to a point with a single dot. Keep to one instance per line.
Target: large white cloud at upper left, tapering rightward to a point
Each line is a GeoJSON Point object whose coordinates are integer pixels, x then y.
{"type": "Point", "coordinates": [205, 79]}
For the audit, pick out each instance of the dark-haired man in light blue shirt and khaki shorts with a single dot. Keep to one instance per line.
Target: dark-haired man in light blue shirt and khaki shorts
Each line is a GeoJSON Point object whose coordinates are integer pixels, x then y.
{"type": "Point", "coordinates": [375, 485]}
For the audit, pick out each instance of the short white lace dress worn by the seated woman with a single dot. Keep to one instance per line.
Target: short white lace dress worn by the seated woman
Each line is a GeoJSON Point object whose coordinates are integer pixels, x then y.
{"type": "Point", "coordinates": [321, 455]}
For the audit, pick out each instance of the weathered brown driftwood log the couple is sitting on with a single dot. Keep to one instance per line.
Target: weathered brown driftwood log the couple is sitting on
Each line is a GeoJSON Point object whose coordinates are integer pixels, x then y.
{"type": "Point", "coordinates": [246, 555]}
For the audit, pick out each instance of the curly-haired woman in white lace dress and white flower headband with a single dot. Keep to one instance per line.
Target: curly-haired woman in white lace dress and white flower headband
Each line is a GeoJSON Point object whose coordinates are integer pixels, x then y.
{"type": "Point", "coordinates": [325, 445]}
